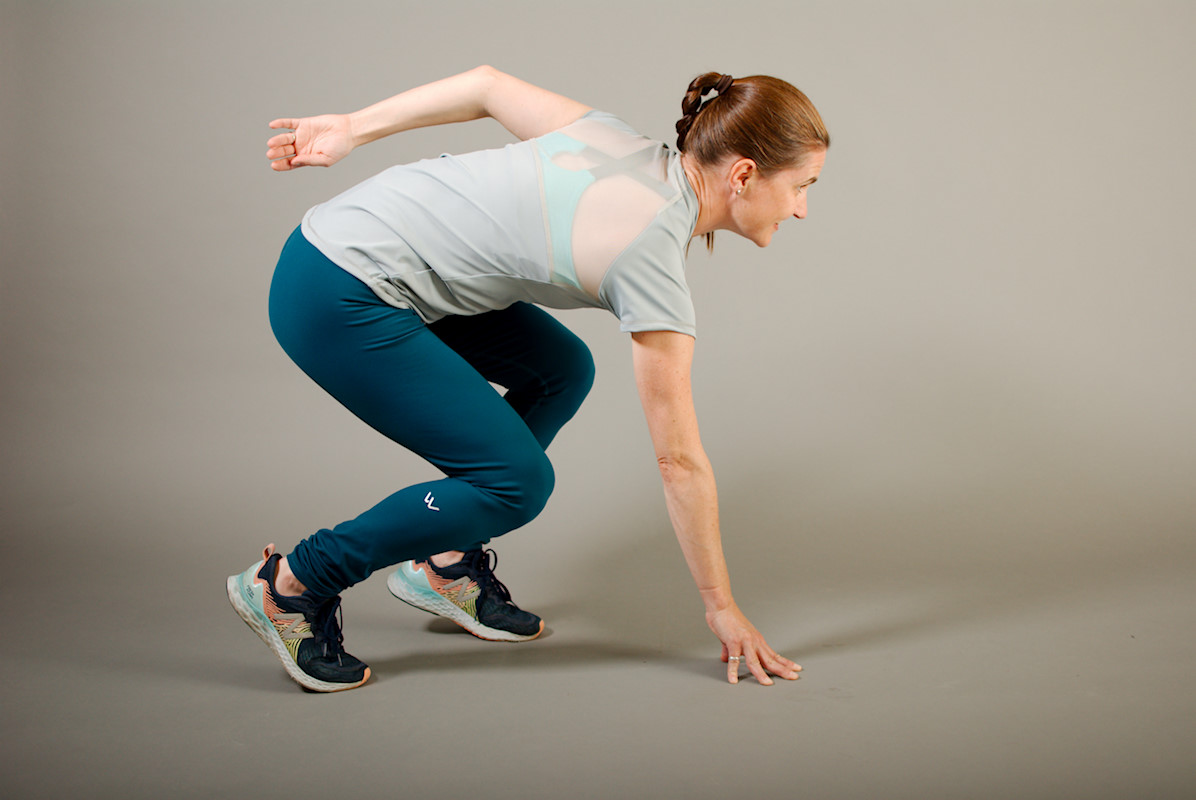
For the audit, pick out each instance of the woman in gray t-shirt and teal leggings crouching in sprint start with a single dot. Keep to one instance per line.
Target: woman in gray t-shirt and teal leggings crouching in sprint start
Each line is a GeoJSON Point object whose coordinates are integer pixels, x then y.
{"type": "Point", "coordinates": [410, 295]}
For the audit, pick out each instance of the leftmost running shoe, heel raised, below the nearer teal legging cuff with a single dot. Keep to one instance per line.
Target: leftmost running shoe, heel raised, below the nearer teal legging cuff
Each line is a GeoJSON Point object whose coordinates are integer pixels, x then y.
{"type": "Point", "coordinates": [304, 632]}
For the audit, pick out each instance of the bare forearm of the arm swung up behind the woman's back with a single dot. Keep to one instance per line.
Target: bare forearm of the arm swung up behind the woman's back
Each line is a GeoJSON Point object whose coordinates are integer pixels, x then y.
{"type": "Point", "coordinates": [459, 99]}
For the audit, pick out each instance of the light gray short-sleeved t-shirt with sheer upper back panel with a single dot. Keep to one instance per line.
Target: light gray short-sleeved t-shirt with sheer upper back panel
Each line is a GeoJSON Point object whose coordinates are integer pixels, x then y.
{"type": "Point", "coordinates": [590, 216]}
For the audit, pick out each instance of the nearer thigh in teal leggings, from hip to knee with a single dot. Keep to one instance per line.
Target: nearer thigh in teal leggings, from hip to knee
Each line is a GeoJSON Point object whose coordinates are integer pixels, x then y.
{"type": "Point", "coordinates": [386, 367]}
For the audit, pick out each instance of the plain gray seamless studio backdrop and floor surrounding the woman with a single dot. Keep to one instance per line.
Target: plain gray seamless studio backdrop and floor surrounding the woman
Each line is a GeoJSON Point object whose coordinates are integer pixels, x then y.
{"type": "Point", "coordinates": [951, 414]}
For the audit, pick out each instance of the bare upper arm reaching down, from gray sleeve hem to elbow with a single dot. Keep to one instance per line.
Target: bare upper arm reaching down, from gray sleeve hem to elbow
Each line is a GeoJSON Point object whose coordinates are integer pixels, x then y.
{"type": "Point", "coordinates": [663, 361]}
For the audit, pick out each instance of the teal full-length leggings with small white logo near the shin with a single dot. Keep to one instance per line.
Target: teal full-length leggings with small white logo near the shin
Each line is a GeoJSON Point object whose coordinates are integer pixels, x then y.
{"type": "Point", "coordinates": [429, 389]}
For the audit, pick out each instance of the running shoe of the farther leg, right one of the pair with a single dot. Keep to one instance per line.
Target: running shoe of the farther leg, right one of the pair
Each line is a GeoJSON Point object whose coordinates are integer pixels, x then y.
{"type": "Point", "coordinates": [468, 594]}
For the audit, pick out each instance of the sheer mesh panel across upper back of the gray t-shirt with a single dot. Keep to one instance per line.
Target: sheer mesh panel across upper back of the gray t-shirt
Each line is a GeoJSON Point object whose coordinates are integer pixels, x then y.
{"type": "Point", "coordinates": [603, 188]}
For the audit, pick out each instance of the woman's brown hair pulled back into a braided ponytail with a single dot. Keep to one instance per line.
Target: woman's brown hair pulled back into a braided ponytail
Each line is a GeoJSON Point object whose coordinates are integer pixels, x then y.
{"type": "Point", "coordinates": [760, 118]}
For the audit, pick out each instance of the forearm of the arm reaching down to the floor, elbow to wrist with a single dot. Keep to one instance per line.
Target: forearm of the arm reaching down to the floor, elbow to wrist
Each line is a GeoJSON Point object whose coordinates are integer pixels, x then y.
{"type": "Point", "coordinates": [693, 503]}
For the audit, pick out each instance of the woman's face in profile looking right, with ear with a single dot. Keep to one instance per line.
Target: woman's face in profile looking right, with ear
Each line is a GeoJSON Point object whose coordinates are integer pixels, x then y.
{"type": "Point", "coordinates": [761, 204]}
